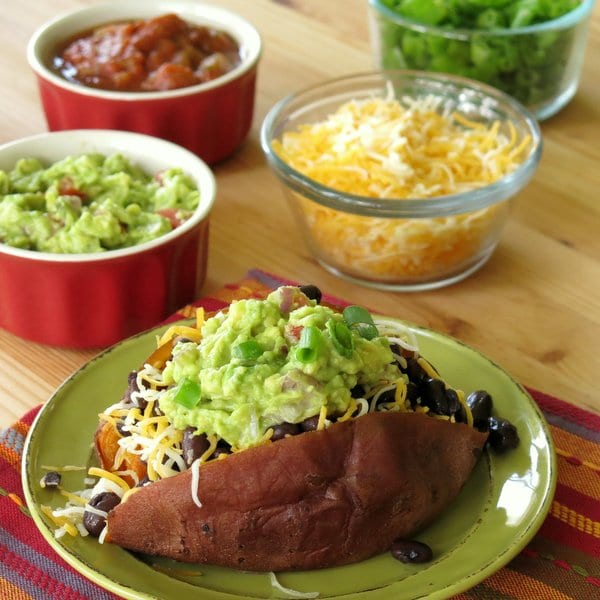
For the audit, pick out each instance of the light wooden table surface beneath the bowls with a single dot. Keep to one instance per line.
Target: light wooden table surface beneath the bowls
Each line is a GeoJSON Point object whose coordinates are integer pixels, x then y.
{"type": "Point", "coordinates": [534, 308]}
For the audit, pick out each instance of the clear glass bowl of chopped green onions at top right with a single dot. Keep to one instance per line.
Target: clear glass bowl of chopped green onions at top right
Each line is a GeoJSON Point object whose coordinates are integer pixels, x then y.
{"type": "Point", "coordinates": [531, 49]}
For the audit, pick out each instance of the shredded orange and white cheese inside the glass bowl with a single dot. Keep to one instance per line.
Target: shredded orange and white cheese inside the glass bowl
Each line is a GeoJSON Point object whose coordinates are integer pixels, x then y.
{"type": "Point", "coordinates": [408, 148]}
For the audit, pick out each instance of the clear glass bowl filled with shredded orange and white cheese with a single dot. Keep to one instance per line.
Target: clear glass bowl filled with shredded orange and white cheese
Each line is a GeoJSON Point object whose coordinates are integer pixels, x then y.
{"type": "Point", "coordinates": [401, 180]}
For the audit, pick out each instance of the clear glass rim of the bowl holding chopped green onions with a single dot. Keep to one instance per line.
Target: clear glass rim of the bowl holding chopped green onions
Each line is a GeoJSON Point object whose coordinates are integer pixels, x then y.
{"type": "Point", "coordinates": [569, 19]}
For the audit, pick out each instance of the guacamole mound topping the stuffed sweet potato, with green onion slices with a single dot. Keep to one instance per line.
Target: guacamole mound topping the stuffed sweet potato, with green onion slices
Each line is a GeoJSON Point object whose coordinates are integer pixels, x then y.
{"type": "Point", "coordinates": [272, 361]}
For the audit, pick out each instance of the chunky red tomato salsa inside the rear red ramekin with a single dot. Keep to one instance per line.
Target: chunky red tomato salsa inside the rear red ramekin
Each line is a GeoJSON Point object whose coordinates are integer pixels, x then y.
{"type": "Point", "coordinates": [161, 53]}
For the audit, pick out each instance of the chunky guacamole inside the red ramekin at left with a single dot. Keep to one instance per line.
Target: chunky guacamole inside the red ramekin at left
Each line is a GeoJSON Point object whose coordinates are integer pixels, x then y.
{"type": "Point", "coordinates": [90, 203]}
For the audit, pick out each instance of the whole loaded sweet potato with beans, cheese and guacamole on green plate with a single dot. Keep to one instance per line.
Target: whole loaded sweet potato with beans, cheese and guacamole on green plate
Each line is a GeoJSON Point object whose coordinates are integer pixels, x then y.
{"type": "Point", "coordinates": [283, 424]}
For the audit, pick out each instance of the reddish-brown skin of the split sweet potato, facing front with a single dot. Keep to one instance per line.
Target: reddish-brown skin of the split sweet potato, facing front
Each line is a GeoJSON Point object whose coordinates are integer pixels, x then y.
{"type": "Point", "coordinates": [318, 499]}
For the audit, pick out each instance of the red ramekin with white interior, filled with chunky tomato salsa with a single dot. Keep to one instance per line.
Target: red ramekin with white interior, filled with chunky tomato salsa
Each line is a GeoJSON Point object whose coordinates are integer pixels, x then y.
{"type": "Point", "coordinates": [180, 70]}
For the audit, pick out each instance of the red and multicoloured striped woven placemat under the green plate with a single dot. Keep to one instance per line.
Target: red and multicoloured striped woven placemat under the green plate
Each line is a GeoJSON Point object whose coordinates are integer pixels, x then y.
{"type": "Point", "coordinates": [561, 562]}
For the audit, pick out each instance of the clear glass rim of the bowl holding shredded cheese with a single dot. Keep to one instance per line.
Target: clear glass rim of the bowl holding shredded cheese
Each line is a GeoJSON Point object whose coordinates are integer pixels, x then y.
{"type": "Point", "coordinates": [440, 206]}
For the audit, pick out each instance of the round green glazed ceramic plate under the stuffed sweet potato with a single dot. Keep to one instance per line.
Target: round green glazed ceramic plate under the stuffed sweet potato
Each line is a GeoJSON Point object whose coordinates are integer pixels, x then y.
{"type": "Point", "coordinates": [494, 517]}
